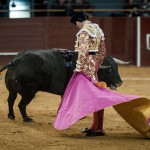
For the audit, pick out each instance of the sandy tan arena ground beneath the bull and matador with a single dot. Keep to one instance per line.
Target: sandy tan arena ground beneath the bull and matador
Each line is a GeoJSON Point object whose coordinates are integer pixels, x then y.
{"type": "Point", "coordinates": [41, 135]}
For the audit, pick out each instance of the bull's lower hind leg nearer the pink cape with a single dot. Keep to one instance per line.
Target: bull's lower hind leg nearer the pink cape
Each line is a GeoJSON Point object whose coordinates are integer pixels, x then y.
{"type": "Point", "coordinates": [22, 106]}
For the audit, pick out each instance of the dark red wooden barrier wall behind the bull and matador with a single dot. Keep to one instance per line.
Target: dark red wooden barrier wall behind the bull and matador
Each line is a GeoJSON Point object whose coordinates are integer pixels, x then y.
{"type": "Point", "coordinates": [57, 32]}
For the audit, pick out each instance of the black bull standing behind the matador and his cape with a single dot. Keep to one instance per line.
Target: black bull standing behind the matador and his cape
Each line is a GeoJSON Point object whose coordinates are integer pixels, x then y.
{"type": "Point", "coordinates": [48, 71]}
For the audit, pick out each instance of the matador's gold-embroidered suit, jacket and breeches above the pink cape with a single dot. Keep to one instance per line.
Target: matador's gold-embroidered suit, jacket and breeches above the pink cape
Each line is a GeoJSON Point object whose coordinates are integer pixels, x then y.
{"type": "Point", "coordinates": [90, 39]}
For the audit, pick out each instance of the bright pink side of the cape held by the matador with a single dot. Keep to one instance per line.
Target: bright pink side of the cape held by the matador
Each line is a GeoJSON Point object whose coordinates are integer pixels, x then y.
{"type": "Point", "coordinates": [82, 97]}
